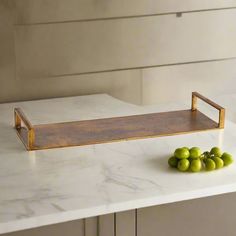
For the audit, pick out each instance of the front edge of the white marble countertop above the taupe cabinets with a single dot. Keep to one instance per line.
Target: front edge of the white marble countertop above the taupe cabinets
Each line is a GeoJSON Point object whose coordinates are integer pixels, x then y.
{"type": "Point", "coordinates": [40, 221]}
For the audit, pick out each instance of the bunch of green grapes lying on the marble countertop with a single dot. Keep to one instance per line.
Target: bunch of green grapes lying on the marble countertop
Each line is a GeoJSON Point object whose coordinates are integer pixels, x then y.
{"type": "Point", "coordinates": [192, 159]}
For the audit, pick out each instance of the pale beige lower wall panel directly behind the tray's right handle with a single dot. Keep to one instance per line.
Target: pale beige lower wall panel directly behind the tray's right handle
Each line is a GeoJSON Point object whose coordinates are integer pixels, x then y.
{"type": "Point", "coordinates": [175, 83]}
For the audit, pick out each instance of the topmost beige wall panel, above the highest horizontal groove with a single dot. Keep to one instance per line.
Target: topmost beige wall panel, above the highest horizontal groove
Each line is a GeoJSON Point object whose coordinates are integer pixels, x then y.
{"type": "Point", "coordinates": [36, 11]}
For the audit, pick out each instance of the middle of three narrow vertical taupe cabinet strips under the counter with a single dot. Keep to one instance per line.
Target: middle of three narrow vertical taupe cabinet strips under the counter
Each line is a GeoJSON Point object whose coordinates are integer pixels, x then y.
{"type": "Point", "coordinates": [106, 225]}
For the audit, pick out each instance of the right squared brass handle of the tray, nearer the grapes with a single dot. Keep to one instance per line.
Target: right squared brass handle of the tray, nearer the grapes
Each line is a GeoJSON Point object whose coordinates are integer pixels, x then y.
{"type": "Point", "coordinates": [196, 95]}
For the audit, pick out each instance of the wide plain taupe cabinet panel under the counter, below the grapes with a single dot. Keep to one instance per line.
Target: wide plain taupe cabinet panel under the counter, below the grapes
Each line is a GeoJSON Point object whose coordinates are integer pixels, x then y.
{"type": "Point", "coordinates": [205, 217]}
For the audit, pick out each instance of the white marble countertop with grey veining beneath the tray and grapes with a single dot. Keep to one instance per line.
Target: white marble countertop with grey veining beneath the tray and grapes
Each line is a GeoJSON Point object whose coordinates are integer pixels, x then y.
{"type": "Point", "coordinates": [52, 186]}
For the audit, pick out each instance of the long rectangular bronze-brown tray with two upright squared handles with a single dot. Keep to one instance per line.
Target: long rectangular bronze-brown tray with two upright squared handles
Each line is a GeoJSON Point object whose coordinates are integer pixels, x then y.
{"type": "Point", "coordinates": [36, 137]}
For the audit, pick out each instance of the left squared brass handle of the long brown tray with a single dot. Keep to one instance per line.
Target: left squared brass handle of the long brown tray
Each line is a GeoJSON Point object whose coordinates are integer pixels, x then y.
{"type": "Point", "coordinates": [19, 119]}
